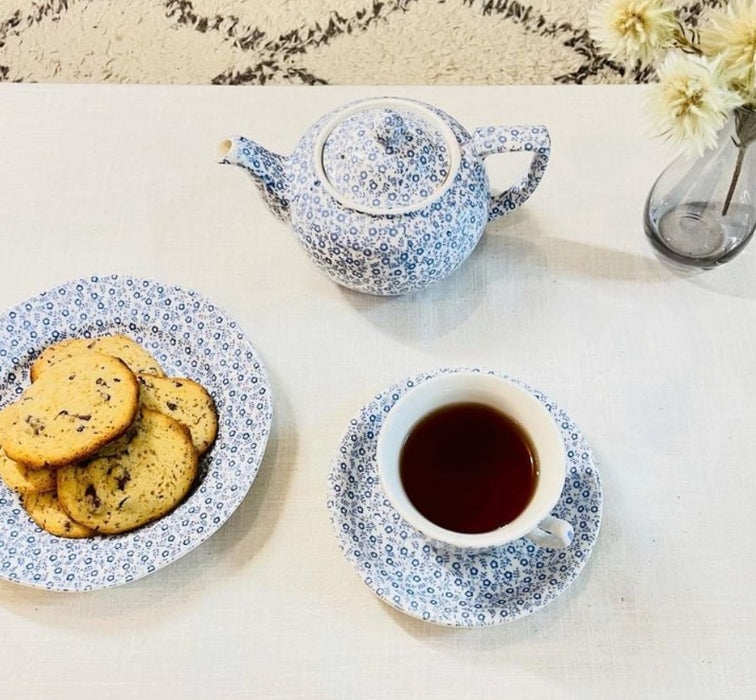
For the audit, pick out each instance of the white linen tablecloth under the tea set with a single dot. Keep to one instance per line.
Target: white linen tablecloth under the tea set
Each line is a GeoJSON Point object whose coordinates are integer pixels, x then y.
{"type": "Point", "coordinates": [658, 370]}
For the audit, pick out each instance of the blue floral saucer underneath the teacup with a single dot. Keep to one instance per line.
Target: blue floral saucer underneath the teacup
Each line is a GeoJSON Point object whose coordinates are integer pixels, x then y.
{"type": "Point", "coordinates": [443, 584]}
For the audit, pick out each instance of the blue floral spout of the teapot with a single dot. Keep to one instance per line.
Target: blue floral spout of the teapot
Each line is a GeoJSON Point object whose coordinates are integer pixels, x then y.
{"type": "Point", "coordinates": [267, 169]}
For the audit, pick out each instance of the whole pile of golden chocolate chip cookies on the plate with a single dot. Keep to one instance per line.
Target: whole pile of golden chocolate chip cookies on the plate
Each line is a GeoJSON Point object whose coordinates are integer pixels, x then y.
{"type": "Point", "coordinates": [102, 441]}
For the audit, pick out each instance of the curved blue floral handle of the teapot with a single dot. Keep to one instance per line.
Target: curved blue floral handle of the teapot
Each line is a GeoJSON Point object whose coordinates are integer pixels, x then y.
{"type": "Point", "coordinates": [505, 139]}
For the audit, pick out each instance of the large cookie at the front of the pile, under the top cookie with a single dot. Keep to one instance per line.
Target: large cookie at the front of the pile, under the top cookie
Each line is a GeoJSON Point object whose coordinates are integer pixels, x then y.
{"type": "Point", "coordinates": [145, 481]}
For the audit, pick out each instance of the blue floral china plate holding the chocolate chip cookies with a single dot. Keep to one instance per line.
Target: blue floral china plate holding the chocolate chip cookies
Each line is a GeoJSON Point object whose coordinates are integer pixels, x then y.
{"type": "Point", "coordinates": [189, 336]}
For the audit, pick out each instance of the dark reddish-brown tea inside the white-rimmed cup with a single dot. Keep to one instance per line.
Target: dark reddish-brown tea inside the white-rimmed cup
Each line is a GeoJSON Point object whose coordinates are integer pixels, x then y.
{"type": "Point", "coordinates": [468, 467]}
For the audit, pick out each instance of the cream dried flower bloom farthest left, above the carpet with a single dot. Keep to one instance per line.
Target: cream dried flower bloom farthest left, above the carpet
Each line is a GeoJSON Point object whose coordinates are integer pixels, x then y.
{"type": "Point", "coordinates": [632, 30]}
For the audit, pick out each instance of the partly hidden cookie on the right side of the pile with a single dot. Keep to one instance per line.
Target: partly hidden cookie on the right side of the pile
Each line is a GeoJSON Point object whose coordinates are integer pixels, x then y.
{"type": "Point", "coordinates": [186, 401]}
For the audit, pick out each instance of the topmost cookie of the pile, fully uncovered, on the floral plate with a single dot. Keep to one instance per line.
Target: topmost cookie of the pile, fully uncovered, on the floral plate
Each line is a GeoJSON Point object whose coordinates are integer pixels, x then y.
{"type": "Point", "coordinates": [77, 406]}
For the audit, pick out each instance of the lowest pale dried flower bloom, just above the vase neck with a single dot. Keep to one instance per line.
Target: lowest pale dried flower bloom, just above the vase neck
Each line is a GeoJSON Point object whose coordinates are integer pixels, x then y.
{"type": "Point", "coordinates": [691, 103]}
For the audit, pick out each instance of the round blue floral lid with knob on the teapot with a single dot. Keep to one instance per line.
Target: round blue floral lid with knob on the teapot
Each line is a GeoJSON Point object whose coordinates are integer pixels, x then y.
{"type": "Point", "coordinates": [387, 156]}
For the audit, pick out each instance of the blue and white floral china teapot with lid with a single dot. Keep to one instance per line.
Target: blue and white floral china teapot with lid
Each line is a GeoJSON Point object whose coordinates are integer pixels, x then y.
{"type": "Point", "coordinates": [388, 195]}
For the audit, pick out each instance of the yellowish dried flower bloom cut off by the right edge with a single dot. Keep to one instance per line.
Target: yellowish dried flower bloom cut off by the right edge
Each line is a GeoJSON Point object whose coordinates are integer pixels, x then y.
{"type": "Point", "coordinates": [730, 33]}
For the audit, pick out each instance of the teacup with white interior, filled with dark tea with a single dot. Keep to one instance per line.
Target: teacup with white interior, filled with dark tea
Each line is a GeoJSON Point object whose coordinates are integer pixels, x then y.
{"type": "Point", "coordinates": [444, 404]}
